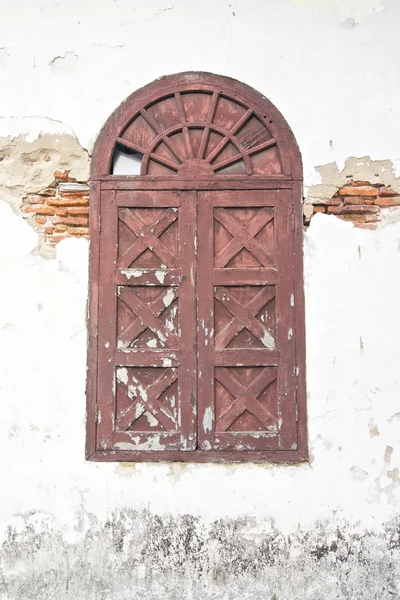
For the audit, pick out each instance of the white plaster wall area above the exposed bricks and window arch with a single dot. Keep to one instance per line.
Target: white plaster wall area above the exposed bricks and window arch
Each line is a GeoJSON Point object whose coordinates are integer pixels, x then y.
{"type": "Point", "coordinates": [331, 66]}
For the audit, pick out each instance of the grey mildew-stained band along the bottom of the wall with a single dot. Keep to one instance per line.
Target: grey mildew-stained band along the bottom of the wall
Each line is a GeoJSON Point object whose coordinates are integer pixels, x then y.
{"type": "Point", "coordinates": [135, 554]}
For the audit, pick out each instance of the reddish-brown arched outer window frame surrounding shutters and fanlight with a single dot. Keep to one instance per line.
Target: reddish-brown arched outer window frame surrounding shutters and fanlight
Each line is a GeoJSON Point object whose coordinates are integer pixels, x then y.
{"type": "Point", "coordinates": [102, 181]}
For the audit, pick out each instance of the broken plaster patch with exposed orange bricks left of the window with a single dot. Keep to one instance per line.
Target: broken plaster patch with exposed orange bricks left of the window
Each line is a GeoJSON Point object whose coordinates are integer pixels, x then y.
{"type": "Point", "coordinates": [44, 176]}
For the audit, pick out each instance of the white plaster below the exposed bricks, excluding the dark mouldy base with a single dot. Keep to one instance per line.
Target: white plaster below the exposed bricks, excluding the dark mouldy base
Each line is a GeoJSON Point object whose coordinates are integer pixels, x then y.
{"type": "Point", "coordinates": [353, 328]}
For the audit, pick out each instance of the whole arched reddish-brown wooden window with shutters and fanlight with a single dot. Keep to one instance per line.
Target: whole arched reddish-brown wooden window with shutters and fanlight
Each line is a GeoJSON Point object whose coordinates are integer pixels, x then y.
{"type": "Point", "coordinates": [196, 346]}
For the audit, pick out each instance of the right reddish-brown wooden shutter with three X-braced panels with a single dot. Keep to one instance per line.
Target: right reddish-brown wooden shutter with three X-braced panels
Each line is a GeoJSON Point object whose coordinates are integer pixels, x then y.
{"type": "Point", "coordinates": [246, 321]}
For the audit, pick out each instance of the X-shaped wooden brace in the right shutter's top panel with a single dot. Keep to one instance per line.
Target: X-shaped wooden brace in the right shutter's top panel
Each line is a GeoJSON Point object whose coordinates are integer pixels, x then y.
{"type": "Point", "coordinates": [244, 237]}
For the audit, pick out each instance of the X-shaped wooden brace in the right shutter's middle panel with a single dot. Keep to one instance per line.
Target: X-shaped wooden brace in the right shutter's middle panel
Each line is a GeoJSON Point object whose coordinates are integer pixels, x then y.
{"type": "Point", "coordinates": [244, 317]}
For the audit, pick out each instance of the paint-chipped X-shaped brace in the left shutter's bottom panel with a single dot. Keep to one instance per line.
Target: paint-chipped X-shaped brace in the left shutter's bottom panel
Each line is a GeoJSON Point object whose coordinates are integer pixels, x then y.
{"type": "Point", "coordinates": [145, 398]}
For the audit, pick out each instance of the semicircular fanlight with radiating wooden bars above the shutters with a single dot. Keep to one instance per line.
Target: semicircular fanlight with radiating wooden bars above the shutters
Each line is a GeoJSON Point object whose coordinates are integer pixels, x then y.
{"type": "Point", "coordinates": [200, 132]}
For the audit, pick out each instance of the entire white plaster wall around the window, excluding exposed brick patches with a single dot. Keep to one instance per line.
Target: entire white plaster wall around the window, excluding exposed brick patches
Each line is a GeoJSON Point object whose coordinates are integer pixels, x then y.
{"type": "Point", "coordinates": [331, 67]}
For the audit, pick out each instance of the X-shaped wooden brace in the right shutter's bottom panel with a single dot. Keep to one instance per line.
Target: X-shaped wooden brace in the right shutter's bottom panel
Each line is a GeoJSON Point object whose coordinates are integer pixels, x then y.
{"type": "Point", "coordinates": [245, 397]}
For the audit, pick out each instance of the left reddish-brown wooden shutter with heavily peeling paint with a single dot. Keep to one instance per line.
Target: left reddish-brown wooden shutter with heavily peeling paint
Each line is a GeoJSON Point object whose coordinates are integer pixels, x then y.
{"type": "Point", "coordinates": [147, 320]}
